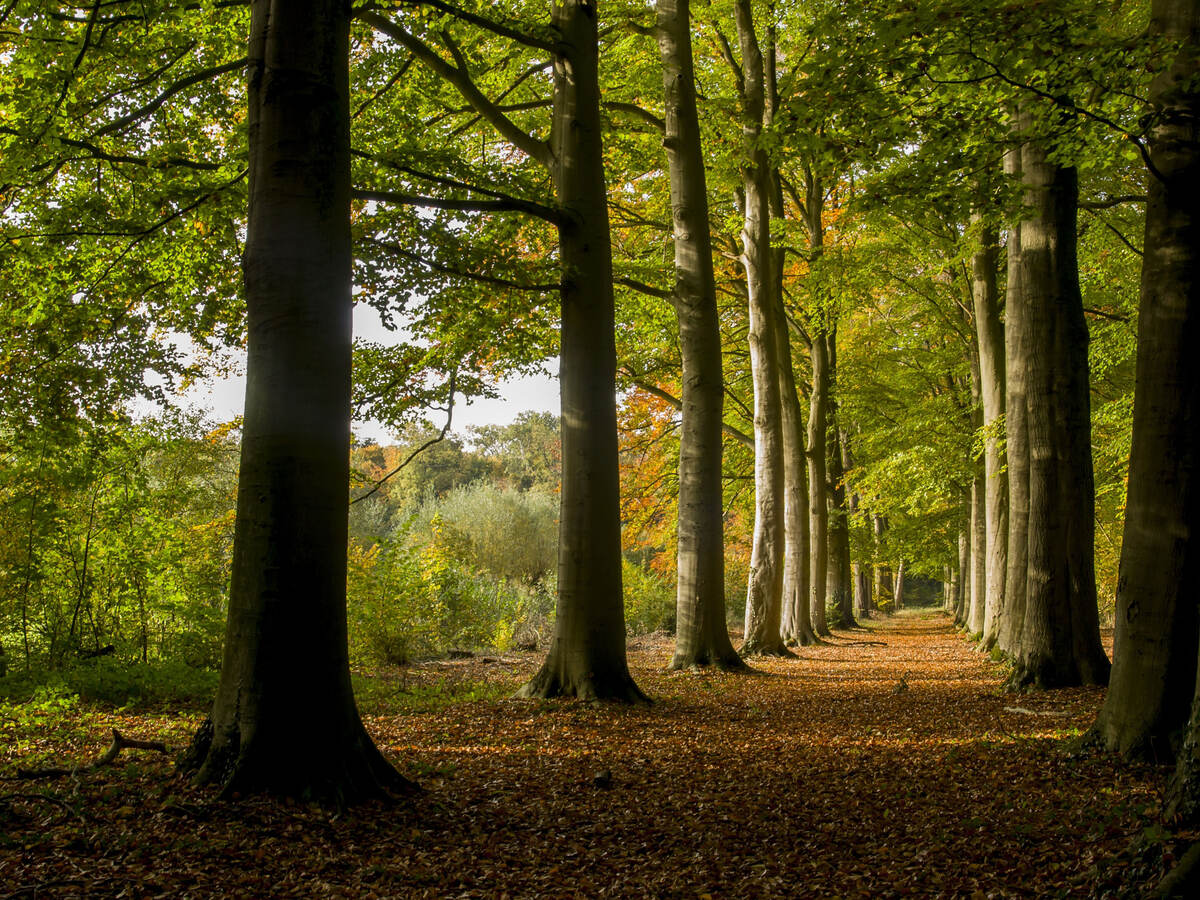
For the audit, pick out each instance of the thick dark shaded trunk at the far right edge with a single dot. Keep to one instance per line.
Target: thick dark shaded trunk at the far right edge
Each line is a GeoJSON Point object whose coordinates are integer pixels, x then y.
{"type": "Point", "coordinates": [1155, 647]}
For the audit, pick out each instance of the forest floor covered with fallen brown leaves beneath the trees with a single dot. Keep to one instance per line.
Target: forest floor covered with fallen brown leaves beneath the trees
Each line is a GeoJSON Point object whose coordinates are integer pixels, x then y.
{"type": "Point", "coordinates": [819, 777]}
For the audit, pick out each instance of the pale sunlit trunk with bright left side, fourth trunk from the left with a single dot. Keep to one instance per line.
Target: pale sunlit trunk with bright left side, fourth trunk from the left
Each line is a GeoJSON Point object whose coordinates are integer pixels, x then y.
{"type": "Point", "coordinates": [765, 590]}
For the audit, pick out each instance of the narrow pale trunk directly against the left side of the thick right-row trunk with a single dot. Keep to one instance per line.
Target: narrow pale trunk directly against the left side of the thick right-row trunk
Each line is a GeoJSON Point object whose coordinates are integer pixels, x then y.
{"type": "Point", "coordinates": [1017, 440]}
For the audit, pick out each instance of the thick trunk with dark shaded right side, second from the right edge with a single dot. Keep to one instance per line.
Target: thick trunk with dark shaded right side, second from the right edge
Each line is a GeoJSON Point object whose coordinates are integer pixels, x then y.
{"type": "Point", "coordinates": [1060, 641]}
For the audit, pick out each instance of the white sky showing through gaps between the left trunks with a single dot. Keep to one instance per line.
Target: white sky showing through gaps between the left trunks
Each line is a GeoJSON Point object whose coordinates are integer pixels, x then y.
{"type": "Point", "coordinates": [226, 397]}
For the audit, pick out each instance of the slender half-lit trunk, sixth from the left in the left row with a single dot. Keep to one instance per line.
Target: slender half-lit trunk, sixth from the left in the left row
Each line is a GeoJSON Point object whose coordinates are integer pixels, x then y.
{"type": "Point", "coordinates": [819, 484]}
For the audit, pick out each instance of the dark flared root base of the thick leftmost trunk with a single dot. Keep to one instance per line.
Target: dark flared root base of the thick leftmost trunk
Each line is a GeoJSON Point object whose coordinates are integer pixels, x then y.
{"type": "Point", "coordinates": [333, 775]}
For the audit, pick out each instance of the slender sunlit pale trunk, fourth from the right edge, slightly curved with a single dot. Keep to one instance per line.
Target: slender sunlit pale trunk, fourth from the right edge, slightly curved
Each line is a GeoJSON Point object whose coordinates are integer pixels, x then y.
{"type": "Point", "coordinates": [991, 344]}
